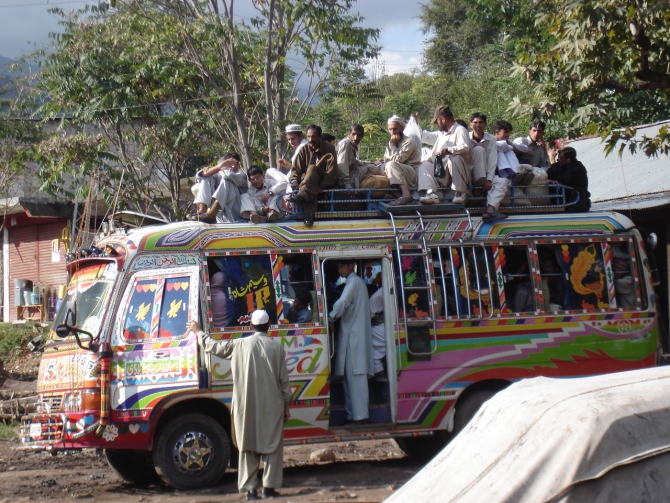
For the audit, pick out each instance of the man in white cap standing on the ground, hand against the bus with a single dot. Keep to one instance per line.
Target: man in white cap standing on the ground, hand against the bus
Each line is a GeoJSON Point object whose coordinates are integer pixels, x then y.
{"type": "Point", "coordinates": [261, 399]}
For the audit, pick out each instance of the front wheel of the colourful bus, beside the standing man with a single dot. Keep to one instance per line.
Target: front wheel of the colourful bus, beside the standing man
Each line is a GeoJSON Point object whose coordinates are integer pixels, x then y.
{"type": "Point", "coordinates": [191, 451]}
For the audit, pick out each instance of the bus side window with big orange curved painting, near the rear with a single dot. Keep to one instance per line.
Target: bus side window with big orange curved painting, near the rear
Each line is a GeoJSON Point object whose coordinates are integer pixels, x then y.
{"type": "Point", "coordinates": [583, 270]}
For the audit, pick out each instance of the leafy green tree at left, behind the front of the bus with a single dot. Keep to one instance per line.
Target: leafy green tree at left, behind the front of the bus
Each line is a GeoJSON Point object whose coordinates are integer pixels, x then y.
{"type": "Point", "coordinates": [147, 108]}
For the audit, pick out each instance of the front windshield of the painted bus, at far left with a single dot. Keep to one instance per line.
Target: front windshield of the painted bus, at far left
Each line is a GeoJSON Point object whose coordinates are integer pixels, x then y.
{"type": "Point", "coordinates": [89, 287]}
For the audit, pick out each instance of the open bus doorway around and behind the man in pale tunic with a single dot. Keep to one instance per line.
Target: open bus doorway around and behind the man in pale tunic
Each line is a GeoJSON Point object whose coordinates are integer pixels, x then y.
{"type": "Point", "coordinates": [375, 268]}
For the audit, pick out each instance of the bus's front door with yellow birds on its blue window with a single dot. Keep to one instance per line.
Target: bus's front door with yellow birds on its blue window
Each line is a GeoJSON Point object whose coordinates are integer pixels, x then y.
{"type": "Point", "coordinates": [154, 354]}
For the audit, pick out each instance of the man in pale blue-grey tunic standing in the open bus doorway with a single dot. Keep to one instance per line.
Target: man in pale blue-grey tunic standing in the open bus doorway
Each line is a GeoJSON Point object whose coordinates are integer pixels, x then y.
{"type": "Point", "coordinates": [354, 358]}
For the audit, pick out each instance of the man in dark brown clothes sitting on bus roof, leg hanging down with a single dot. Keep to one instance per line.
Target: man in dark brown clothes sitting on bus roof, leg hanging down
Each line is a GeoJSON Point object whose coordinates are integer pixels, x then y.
{"type": "Point", "coordinates": [314, 170]}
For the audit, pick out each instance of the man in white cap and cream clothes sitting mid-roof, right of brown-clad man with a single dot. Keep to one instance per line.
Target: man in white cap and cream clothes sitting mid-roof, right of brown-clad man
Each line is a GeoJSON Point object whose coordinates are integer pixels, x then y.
{"type": "Point", "coordinates": [401, 160]}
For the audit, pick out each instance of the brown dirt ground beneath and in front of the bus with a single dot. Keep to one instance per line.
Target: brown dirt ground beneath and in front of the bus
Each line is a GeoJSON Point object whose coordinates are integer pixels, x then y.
{"type": "Point", "coordinates": [367, 471]}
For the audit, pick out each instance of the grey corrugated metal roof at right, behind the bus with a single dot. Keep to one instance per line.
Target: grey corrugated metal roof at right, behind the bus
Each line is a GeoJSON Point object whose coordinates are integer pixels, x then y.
{"type": "Point", "coordinates": [623, 178]}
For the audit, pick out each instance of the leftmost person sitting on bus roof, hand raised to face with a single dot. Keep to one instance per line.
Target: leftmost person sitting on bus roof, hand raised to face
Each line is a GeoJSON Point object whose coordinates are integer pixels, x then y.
{"type": "Point", "coordinates": [217, 191]}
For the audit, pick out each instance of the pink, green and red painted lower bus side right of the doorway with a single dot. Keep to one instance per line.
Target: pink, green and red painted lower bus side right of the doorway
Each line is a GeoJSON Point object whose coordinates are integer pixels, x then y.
{"type": "Point", "coordinates": [518, 348]}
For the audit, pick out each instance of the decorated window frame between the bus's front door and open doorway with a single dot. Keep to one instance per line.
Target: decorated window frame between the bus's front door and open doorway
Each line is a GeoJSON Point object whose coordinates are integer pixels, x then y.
{"type": "Point", "coordinates": [207, 293]}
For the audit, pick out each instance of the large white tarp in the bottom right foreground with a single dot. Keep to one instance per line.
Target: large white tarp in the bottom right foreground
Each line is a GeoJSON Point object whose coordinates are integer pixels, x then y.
{"type": "Point", "coordinates": [593, 439]}
